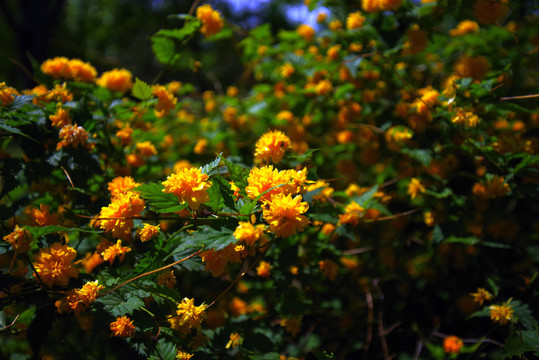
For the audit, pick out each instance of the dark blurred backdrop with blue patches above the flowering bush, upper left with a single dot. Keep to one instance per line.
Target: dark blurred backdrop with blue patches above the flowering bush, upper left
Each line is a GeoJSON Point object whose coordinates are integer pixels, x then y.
{"type": "Point", "coordinates": [116, 33]}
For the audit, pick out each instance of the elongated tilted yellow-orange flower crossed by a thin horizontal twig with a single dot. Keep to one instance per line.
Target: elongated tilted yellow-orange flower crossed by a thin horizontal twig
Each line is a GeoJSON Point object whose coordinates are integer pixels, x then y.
{"type": "Point", "coordinates": [118, 216]}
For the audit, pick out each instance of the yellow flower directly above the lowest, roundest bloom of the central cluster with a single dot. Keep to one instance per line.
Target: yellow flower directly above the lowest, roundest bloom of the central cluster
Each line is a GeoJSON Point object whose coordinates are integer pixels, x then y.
{"type": "Point", "coordinates": [263, 179]}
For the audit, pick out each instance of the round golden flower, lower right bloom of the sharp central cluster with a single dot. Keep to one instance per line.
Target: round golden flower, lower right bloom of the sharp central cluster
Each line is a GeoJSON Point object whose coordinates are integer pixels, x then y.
{"type": "Point", "coordinates": [284, 214]}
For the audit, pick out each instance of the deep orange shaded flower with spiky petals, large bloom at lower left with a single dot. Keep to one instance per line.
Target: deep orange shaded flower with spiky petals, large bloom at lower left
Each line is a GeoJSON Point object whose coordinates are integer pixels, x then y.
{"type": "Point", "coordinates": [54, 266]}
